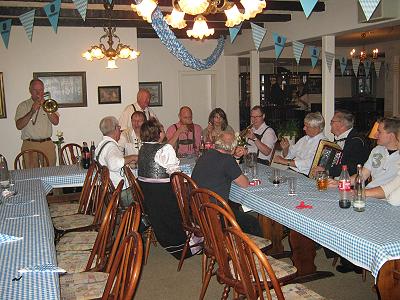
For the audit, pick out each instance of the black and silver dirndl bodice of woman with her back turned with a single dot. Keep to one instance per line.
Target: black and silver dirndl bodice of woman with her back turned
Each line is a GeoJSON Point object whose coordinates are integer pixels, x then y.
{"type": "Point", "coordinates": [147, 167]}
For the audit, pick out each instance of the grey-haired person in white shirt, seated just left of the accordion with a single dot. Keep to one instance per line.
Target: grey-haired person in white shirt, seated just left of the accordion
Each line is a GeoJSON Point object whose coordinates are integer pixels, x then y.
{"type": "Point", "coordinates": [299, 157]}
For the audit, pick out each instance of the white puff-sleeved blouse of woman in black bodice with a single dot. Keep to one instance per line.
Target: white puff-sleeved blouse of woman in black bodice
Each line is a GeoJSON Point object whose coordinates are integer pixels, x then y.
{"type": "Point", "coordinates": [166, 158]}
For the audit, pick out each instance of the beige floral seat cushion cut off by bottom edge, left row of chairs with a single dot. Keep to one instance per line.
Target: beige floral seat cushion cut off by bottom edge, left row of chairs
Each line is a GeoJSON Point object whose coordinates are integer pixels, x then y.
{"type": "Point", "coordinates": [87, 285]}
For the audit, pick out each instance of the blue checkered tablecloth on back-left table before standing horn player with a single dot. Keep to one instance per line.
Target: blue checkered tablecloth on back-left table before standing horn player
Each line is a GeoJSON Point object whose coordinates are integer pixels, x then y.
{"type": "Point", "coordinates": [57, 176]}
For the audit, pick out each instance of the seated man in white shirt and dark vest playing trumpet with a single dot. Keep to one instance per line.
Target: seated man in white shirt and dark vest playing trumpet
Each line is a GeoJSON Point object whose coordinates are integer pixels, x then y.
{"type": "Point", "coordinates": [260, 137]}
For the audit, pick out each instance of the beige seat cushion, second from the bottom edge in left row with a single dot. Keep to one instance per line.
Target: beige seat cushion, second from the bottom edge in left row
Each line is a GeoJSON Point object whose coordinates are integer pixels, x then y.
{"type": "Point", "coordinates": [73, 261]}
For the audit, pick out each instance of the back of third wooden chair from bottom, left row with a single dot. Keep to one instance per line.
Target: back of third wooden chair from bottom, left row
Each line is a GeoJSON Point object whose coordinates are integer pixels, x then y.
{"type": "Point", "coordinates": [98, 253]}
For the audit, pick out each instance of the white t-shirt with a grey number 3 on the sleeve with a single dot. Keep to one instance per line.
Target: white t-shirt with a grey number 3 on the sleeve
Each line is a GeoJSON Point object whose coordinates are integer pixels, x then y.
{"type": "Point", "coordinates": [383, 167]}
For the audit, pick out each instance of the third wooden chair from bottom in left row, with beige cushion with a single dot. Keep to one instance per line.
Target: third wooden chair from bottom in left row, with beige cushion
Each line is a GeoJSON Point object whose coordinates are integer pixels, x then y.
{"type": "Point", "coordinates": [96, 259]}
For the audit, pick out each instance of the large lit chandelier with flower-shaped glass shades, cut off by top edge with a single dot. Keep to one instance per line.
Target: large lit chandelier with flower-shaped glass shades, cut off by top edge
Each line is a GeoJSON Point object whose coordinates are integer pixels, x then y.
{"type": "Point", "coordinates": [198, 9]}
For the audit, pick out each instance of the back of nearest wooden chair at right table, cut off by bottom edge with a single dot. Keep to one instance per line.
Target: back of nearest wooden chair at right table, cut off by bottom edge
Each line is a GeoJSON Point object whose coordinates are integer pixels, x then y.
{"type": "Point", "coordinates": [251, 265]}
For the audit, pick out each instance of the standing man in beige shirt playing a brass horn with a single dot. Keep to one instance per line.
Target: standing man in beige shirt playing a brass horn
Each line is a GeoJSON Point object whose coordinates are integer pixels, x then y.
{"type": "Point", "coordinates": [36, 124]}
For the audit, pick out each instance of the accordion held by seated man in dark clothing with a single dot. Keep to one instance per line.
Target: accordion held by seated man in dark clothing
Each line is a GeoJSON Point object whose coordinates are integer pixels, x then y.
{"type": "Point", "coordinates": [328, 154]}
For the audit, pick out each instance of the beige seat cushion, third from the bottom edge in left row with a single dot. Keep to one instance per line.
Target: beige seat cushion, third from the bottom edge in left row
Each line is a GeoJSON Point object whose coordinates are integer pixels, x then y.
{"type": "Point", "coordinates": [77, 241]}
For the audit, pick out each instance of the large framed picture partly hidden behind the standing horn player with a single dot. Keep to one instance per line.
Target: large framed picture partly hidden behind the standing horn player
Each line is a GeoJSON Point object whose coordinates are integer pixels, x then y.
{"type": "Point", "coordinates": [67, 88]}
